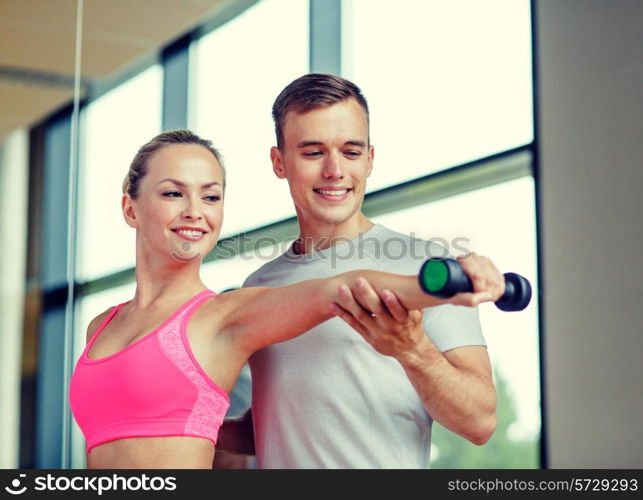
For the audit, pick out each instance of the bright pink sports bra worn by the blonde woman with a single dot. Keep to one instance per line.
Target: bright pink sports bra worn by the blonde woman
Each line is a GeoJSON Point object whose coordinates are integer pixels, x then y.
{"type": "Point", "coordinates": [153, 387]}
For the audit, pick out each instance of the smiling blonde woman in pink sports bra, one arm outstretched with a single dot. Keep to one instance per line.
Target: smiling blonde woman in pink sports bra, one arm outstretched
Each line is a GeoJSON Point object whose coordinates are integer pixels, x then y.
{"type": "Point", "coordinates": [151, 388]}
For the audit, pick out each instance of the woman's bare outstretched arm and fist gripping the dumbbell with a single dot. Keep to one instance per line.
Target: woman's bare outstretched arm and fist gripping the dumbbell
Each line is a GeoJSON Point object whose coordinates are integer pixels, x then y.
{"type": "Point", "coordinates": [265, 316]}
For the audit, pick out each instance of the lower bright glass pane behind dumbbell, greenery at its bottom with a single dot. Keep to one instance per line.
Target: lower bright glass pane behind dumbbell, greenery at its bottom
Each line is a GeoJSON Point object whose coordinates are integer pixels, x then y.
{"type": "Point", "coordinates": [499, 222]}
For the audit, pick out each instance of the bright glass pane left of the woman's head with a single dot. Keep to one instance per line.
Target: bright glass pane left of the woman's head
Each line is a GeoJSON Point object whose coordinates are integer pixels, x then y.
{"type": "Point", "coordinates": [115, 126]}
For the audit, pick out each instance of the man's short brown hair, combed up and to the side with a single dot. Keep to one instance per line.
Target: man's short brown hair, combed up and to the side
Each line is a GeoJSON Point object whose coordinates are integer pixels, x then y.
{"type": "Point", "coordinates": [311, 91]}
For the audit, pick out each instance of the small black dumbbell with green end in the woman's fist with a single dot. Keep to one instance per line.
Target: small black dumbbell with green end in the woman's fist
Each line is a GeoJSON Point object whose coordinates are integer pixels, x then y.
{"type": "Point", "coordinates": [444, 278]}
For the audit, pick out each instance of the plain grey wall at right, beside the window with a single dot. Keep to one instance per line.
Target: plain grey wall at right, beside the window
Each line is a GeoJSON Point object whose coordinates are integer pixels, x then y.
{"type": "Point", "coordinates": [591, 168]}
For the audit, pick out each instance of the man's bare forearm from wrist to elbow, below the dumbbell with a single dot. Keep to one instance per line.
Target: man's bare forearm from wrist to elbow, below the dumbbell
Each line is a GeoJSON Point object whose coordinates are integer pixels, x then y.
{"type": "Point", "coordinates": [460, 399]}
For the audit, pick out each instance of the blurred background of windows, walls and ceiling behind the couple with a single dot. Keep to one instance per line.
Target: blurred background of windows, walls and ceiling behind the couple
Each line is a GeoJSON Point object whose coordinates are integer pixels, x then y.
{"type": "Point", "coordinates": [506, 127]}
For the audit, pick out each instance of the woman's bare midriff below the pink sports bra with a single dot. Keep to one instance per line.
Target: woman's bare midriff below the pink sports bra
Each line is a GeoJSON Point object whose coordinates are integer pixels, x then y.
{"type": "Point", "coordinates": [174, 452]}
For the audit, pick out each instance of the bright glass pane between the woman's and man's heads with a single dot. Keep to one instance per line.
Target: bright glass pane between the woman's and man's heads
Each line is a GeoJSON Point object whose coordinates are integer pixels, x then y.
{"type": "Point", "coordinates": [240, 69]}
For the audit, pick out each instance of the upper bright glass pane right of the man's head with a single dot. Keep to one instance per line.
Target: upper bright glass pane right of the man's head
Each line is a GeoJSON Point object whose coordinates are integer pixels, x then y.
{"type": "Point", "coordinates": [446, 82]}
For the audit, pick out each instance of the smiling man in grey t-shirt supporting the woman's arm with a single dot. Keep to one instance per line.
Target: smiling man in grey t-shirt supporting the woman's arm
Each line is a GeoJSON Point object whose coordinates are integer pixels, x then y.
{"type": "Point", "coordinates": [333, 398]}
